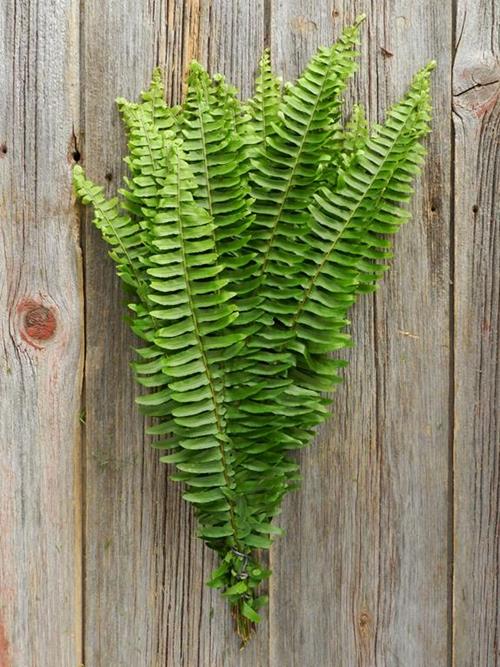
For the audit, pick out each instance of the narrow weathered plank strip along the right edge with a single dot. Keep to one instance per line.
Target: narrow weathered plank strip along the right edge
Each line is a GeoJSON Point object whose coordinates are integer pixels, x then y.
{"type": "Point", "coordinates": [476, 118]}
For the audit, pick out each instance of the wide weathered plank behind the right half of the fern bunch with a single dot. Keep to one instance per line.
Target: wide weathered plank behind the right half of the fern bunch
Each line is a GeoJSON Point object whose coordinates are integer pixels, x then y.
{"type": "Point", "coordinates": [365, 560]}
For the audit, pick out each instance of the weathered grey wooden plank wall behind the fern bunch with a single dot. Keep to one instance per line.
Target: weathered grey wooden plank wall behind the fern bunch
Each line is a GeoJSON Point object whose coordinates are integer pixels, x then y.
{"type": "Point", "coordinates": [392, 549]}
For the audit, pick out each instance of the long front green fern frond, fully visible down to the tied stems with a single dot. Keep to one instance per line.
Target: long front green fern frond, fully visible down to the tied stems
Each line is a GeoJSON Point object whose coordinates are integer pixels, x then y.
{"type": "Point", "coordinates": [198, 341]}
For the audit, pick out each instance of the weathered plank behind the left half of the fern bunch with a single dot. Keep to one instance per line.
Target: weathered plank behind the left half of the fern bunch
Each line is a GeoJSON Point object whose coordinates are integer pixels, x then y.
{"type": "Point", "coordinates": [145, 598]}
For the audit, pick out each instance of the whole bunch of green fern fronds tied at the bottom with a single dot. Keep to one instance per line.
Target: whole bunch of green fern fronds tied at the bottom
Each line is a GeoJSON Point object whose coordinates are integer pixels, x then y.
{"type": "Point", "coordinates": [244, 233]}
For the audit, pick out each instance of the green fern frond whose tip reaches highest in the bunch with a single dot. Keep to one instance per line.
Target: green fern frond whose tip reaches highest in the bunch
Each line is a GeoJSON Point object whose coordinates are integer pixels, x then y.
{"type": "Point", "coordinates": [284, 176]}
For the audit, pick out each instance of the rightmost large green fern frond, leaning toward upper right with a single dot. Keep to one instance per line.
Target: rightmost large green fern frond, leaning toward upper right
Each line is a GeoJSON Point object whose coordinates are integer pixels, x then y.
{"type": "Point", "coordinates": [343, 238]}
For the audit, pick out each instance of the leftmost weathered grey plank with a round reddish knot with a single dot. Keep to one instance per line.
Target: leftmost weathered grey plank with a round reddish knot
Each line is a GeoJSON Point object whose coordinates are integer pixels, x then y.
{"type": "Point", "coordinates": [41, 325]}
